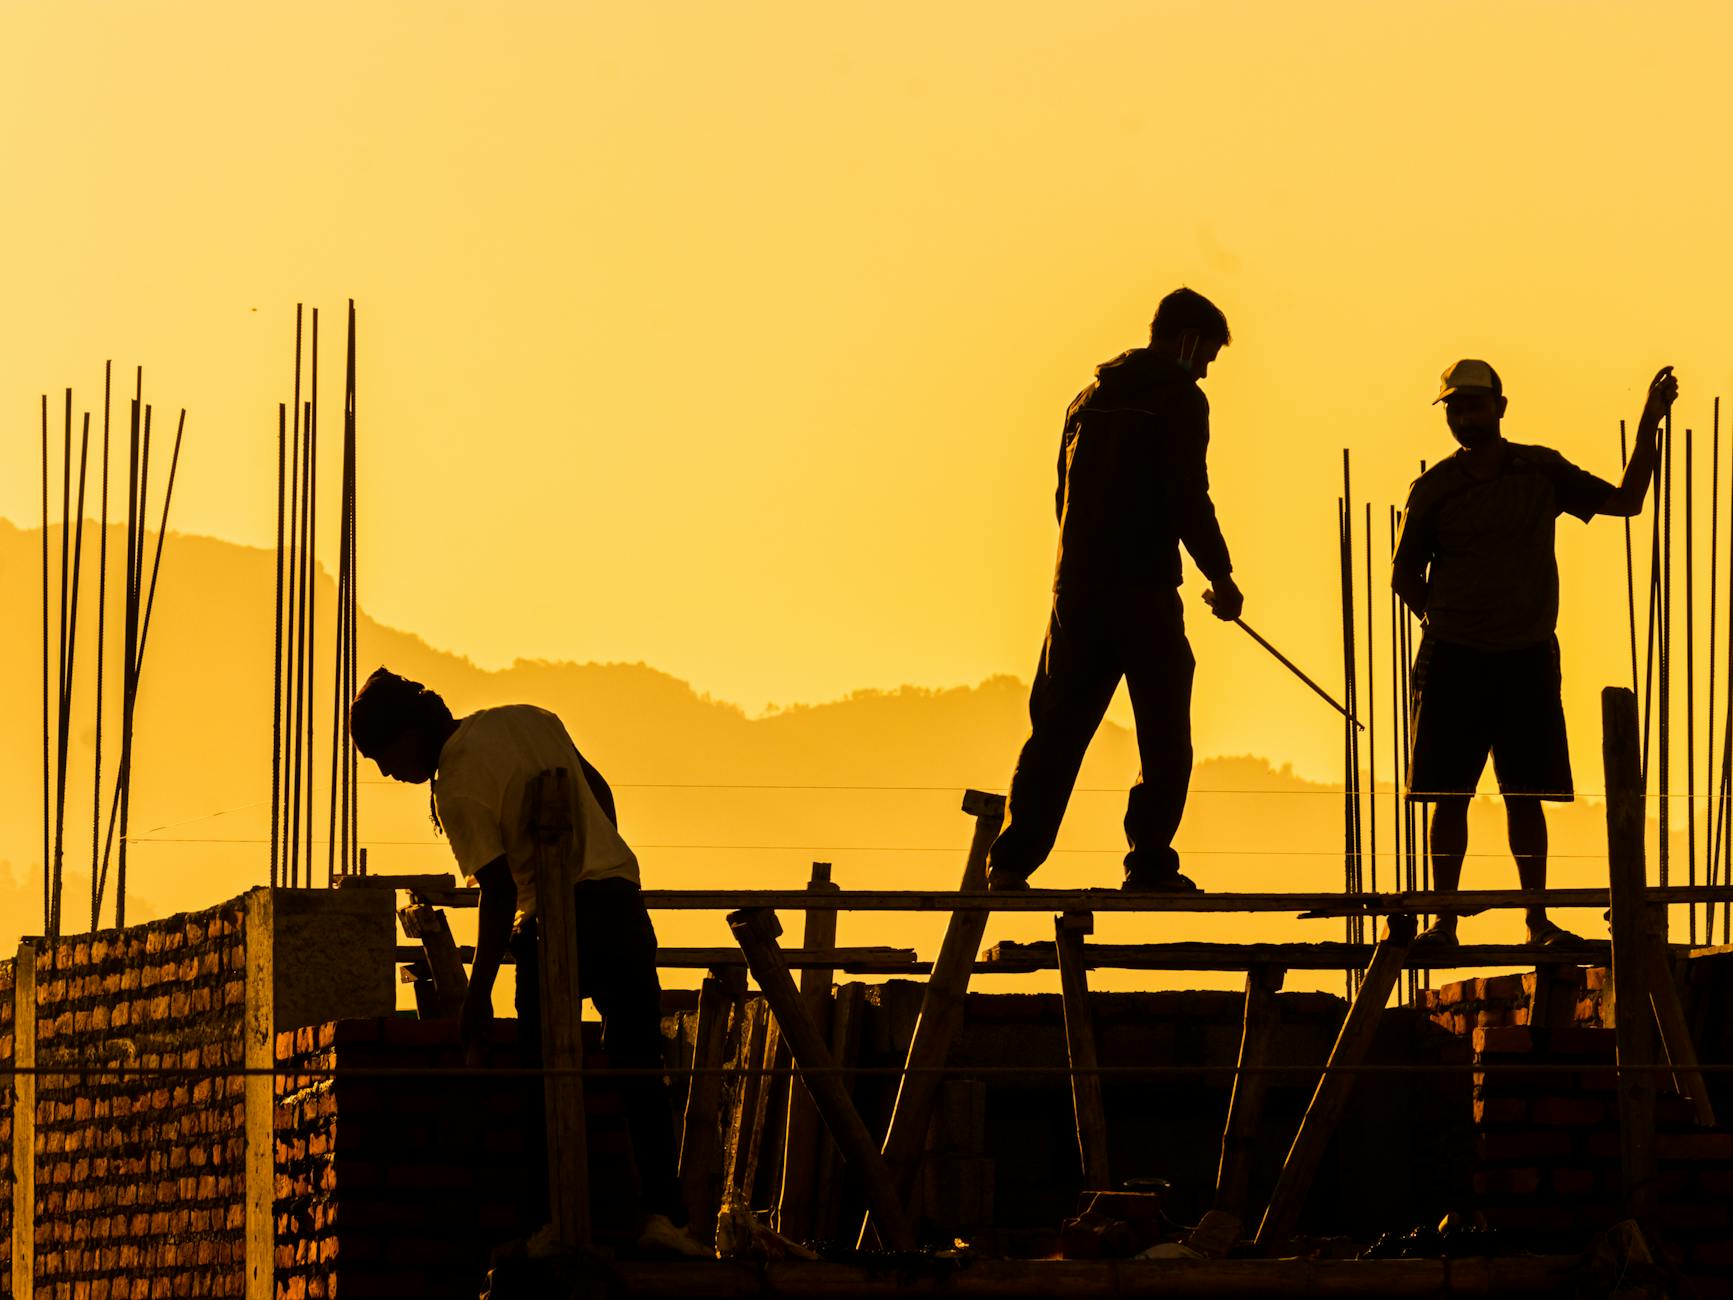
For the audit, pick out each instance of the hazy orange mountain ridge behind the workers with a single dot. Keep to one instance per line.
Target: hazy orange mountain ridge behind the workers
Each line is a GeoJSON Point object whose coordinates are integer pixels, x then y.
{"type": "Point", "coordinates": [708, 795]}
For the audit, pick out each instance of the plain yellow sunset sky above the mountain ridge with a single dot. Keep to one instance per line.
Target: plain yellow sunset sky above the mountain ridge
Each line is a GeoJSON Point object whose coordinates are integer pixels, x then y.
{"type": "Point", "coordinates": [736, 339]}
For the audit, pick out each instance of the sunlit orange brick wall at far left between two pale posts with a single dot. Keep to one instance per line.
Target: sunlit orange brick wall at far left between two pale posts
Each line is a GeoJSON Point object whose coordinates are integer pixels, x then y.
{"type": "Point", "coordinates": [140, 1180]}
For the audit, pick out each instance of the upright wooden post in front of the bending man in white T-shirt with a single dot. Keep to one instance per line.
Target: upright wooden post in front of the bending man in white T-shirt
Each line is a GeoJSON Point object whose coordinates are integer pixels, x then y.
{"type": "Point", "coordinates": [557, 833]}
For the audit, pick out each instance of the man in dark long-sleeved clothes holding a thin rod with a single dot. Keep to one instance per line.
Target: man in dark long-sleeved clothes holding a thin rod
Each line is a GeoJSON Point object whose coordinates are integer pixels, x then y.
{"type": "Point", "coordinates": [1133, 488]}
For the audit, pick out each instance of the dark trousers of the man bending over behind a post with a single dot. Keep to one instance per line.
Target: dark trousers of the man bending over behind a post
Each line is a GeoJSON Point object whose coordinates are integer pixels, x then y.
{"type": "Point", "coordinates": [616, 970]}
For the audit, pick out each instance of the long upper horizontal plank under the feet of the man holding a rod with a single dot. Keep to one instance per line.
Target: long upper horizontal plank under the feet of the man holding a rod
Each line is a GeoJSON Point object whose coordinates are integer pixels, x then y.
{"type": "Point", "coordinates": [1464, 902]}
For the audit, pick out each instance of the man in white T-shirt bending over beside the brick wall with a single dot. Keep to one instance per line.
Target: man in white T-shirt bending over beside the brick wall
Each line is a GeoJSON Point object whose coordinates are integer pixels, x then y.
{"type": "Point", "coordinates": [481, 769]}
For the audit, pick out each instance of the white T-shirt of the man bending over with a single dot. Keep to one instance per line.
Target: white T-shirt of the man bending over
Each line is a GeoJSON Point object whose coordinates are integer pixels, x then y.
{"type": "Point", "coordinates": [481, 790]}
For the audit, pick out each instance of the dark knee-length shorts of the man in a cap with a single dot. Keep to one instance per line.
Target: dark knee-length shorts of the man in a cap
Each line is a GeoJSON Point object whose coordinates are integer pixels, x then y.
{"type": "Point", "coordinates": [1474, 703]}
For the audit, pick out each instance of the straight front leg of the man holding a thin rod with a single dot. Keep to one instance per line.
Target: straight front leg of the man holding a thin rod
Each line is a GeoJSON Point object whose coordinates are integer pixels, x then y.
{"type": "Point", "coordinates": [1159, 673]}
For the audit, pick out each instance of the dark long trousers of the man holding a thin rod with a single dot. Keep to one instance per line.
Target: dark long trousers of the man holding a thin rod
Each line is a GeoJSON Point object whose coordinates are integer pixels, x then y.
{"type": "Point", "coordinates": [1094, 640]}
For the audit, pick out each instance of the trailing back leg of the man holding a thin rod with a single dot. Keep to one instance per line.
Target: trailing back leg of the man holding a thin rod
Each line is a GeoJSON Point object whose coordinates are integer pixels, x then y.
{"type": "Point", "coordinates": [1074, 686]}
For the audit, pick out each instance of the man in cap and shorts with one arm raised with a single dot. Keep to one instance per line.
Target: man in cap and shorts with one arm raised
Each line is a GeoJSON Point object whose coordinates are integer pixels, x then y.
{"type": "Point", "coordinates": [1476, 562]}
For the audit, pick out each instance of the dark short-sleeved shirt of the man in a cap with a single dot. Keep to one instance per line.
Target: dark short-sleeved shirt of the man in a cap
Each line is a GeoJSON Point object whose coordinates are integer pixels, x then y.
{"type": "Point", "coordinates": [1493, 580]}
